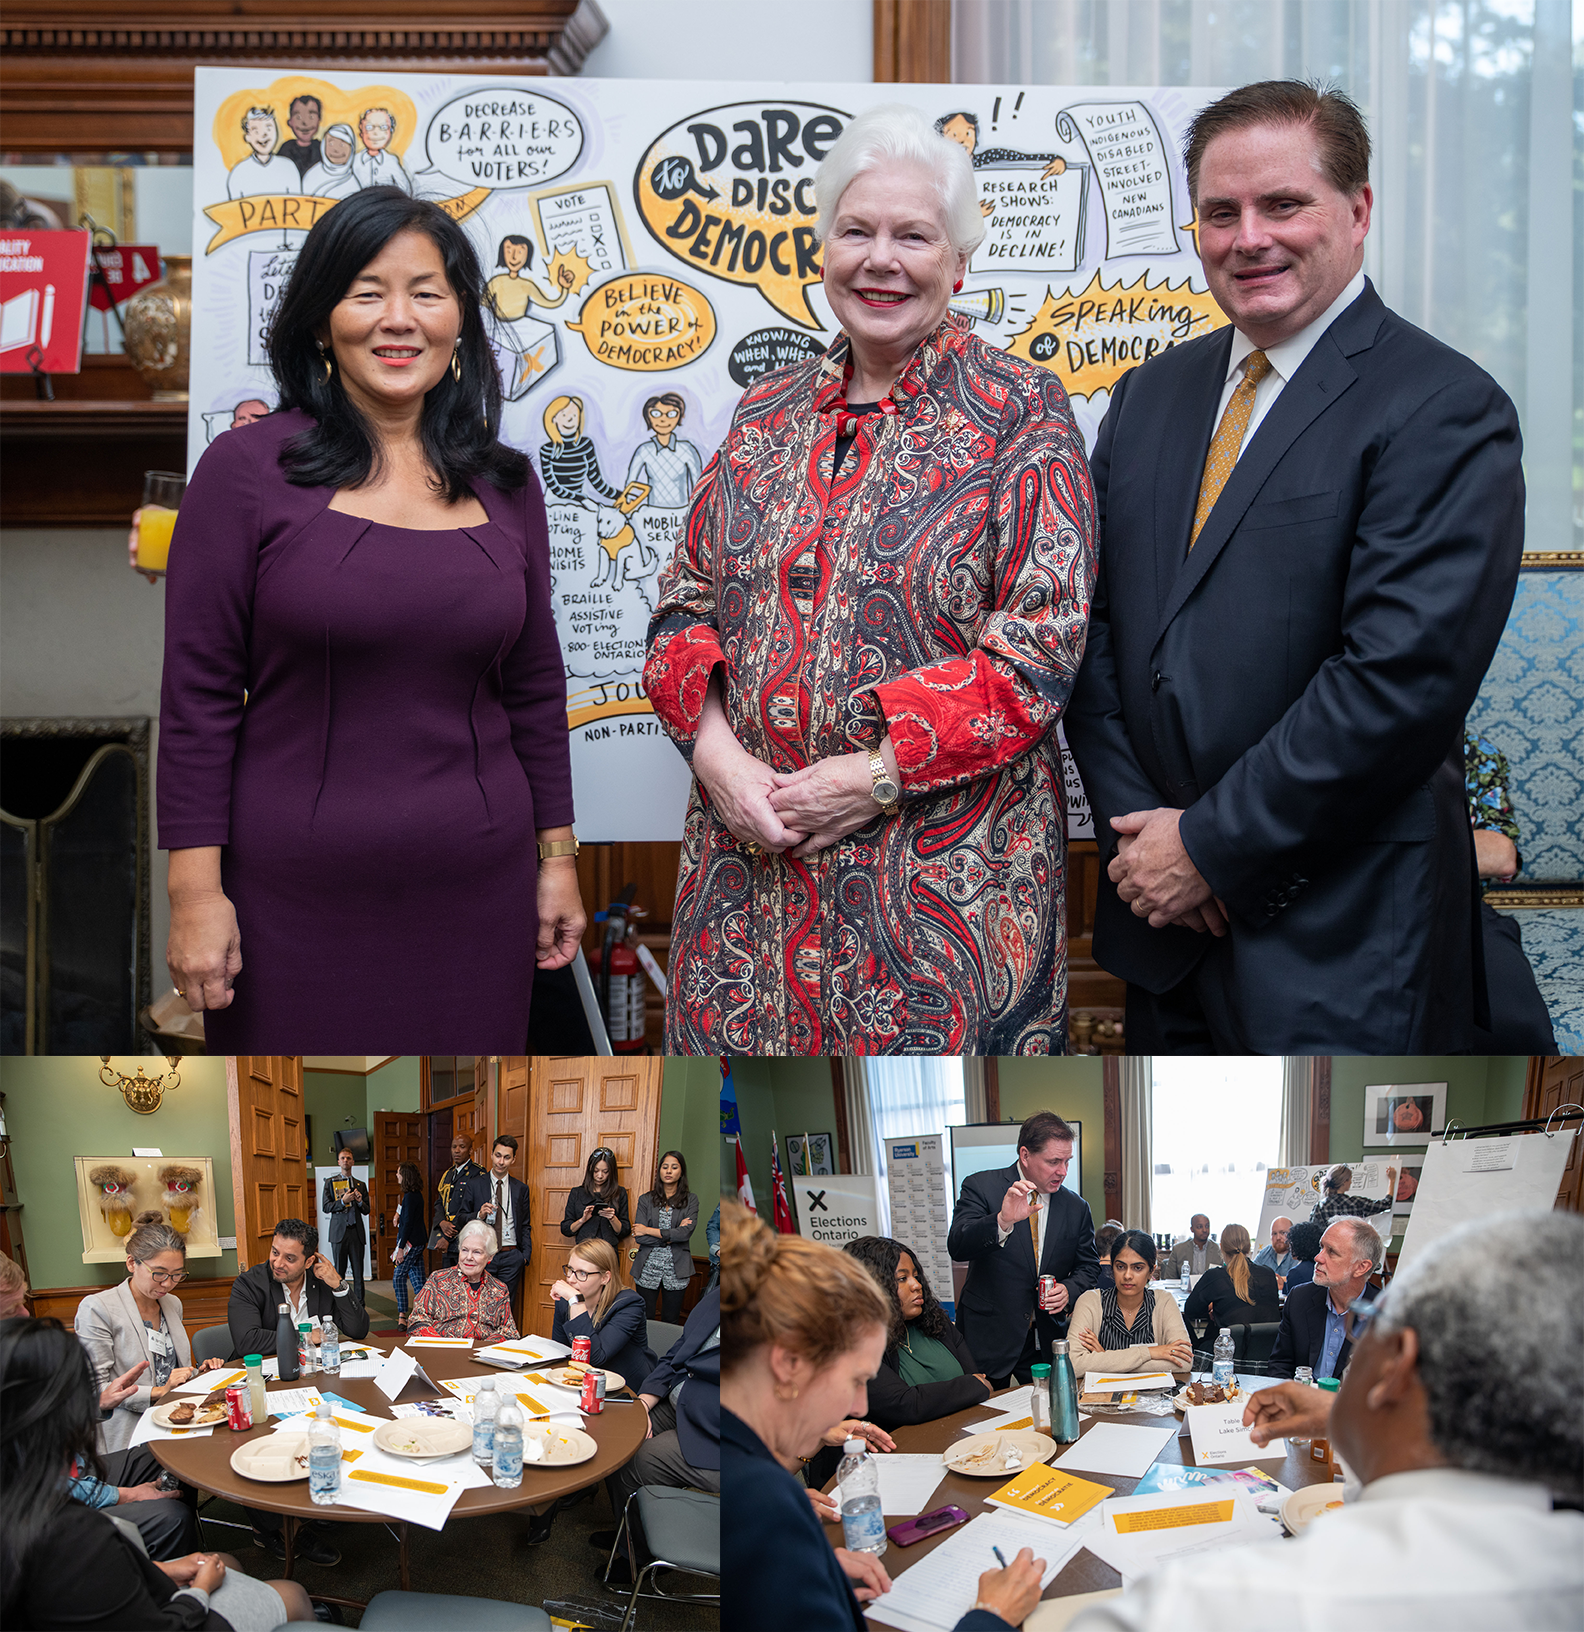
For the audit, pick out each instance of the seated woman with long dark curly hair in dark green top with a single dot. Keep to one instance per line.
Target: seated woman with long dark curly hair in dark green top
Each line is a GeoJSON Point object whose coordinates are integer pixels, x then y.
{"type": "Point", "coordinates": [927, 1370]}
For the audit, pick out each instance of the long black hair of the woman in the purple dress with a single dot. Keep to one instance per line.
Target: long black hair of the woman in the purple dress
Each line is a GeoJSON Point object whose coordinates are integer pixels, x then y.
{"type": "Point", "coordinates": [462, 417]}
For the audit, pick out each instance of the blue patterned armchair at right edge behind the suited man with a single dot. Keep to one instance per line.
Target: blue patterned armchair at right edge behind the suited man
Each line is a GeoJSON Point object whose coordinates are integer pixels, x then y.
{"type": "Point", "coordinates": [1533, 709]}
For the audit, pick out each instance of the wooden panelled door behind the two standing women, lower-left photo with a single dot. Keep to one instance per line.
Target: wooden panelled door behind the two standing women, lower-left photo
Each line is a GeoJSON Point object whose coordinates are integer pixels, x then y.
{"type": "Point", "coordinates": [575, 1106]}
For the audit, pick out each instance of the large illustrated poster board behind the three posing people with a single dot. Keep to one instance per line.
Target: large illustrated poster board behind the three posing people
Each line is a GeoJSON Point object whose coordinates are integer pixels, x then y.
{"type": "Point", "coordinates": [648, 237]}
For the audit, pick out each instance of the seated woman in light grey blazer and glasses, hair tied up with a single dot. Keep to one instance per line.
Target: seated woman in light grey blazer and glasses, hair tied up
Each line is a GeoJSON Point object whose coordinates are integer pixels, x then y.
{"type": "Point", "coordinates": [136, 1323]}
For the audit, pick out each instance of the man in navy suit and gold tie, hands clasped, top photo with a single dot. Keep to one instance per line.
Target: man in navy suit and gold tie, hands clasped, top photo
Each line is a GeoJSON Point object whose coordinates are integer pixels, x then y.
{"type": "Point", "coordinates": [1311, 533]}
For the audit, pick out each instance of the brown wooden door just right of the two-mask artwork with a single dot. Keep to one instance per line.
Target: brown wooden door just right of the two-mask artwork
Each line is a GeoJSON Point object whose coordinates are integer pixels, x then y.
{"type": "Point", "coordinates": [270, 1160]}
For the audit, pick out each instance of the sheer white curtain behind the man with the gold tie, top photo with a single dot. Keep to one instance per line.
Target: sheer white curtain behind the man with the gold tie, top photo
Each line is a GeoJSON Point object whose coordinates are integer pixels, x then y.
{"type": "Point", "coordinates": [1471, 110]}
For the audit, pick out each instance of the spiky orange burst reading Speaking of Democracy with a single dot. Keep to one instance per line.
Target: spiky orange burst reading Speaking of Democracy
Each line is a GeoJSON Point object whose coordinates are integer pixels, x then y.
{"type": "Point", "coordinates": [1094, 339]}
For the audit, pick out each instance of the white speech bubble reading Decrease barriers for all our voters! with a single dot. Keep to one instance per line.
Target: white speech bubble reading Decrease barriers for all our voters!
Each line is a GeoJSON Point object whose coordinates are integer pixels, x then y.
{"type": "Point", "coordinates": [502, 136]}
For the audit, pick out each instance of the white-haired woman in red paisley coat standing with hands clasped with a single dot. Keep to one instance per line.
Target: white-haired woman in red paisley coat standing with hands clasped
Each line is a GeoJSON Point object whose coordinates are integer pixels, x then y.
{"type": "Point", "coordinates": [864, 644]}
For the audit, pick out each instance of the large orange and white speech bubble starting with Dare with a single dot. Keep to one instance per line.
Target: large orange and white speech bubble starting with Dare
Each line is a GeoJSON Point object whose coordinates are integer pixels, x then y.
{"type": "Point", "coordinates": [730, 192]}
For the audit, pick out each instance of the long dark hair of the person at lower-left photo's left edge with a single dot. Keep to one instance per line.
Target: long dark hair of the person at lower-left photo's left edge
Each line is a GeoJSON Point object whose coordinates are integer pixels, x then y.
{"type": "Point", "coordinates": [51, 1419]}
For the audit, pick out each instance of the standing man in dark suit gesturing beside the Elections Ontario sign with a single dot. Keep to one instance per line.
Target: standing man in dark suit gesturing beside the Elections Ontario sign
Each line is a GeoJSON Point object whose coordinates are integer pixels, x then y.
{"type": "Point", "coordinates": [994, 1230]}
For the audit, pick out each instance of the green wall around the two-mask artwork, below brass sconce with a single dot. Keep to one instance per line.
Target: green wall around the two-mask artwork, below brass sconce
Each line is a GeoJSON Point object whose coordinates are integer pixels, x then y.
{"type": "Point", "coordinates": [56, 1111]}
